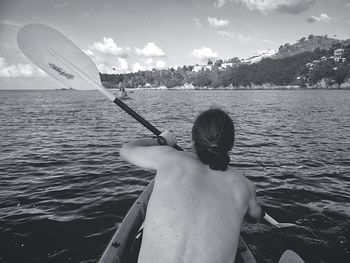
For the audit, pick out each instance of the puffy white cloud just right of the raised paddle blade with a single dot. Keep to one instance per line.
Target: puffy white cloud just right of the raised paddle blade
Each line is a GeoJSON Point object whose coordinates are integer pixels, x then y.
{"type": "Point", "coordinates": [109, 47]}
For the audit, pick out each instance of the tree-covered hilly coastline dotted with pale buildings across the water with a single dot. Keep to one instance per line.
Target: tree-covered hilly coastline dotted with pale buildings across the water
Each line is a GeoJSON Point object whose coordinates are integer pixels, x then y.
{"type": "Point", "coordinates": [291, 67]}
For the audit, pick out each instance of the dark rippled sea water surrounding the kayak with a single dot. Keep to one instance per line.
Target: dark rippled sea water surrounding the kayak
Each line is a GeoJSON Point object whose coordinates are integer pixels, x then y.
{"type": "Point", "coordinates": [64, 188]}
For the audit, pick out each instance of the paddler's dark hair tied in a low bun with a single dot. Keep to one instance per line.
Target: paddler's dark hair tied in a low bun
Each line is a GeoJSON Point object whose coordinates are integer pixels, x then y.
{"type": "Point", "coordinates": [213, 136]}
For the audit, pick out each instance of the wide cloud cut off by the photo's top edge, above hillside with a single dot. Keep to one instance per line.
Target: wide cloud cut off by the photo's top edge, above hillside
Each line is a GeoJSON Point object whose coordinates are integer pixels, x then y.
{"type": "Point", "coordinates": [283, 6]}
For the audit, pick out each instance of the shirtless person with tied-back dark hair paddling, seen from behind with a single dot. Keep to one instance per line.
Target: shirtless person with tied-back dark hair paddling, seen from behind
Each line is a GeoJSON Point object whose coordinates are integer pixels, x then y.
{"type": "Point", "coordinates": [198, 202]}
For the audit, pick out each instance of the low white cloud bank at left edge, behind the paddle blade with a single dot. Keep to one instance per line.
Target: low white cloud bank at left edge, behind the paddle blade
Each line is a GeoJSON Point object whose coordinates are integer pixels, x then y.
{"type": "Point", "coordinates": [19, 70]}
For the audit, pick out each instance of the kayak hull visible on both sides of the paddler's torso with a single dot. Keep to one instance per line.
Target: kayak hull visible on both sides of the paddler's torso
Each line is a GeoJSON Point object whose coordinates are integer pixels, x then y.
{"type": "Point", "coordinates": [125, 244]}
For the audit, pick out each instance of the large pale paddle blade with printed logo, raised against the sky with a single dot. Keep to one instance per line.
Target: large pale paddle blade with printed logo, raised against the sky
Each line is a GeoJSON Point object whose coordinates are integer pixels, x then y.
{"type": "Point", "coordinates": [54, 53]}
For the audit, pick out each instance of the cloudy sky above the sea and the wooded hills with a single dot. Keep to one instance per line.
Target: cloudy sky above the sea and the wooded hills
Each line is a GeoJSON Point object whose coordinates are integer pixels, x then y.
{"type": "Point", "coordinates": [132, 35]}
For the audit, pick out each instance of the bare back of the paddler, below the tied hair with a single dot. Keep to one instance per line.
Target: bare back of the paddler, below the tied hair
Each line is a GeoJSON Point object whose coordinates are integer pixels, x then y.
{"type": "Point", "coordinates": [195, 213]}
